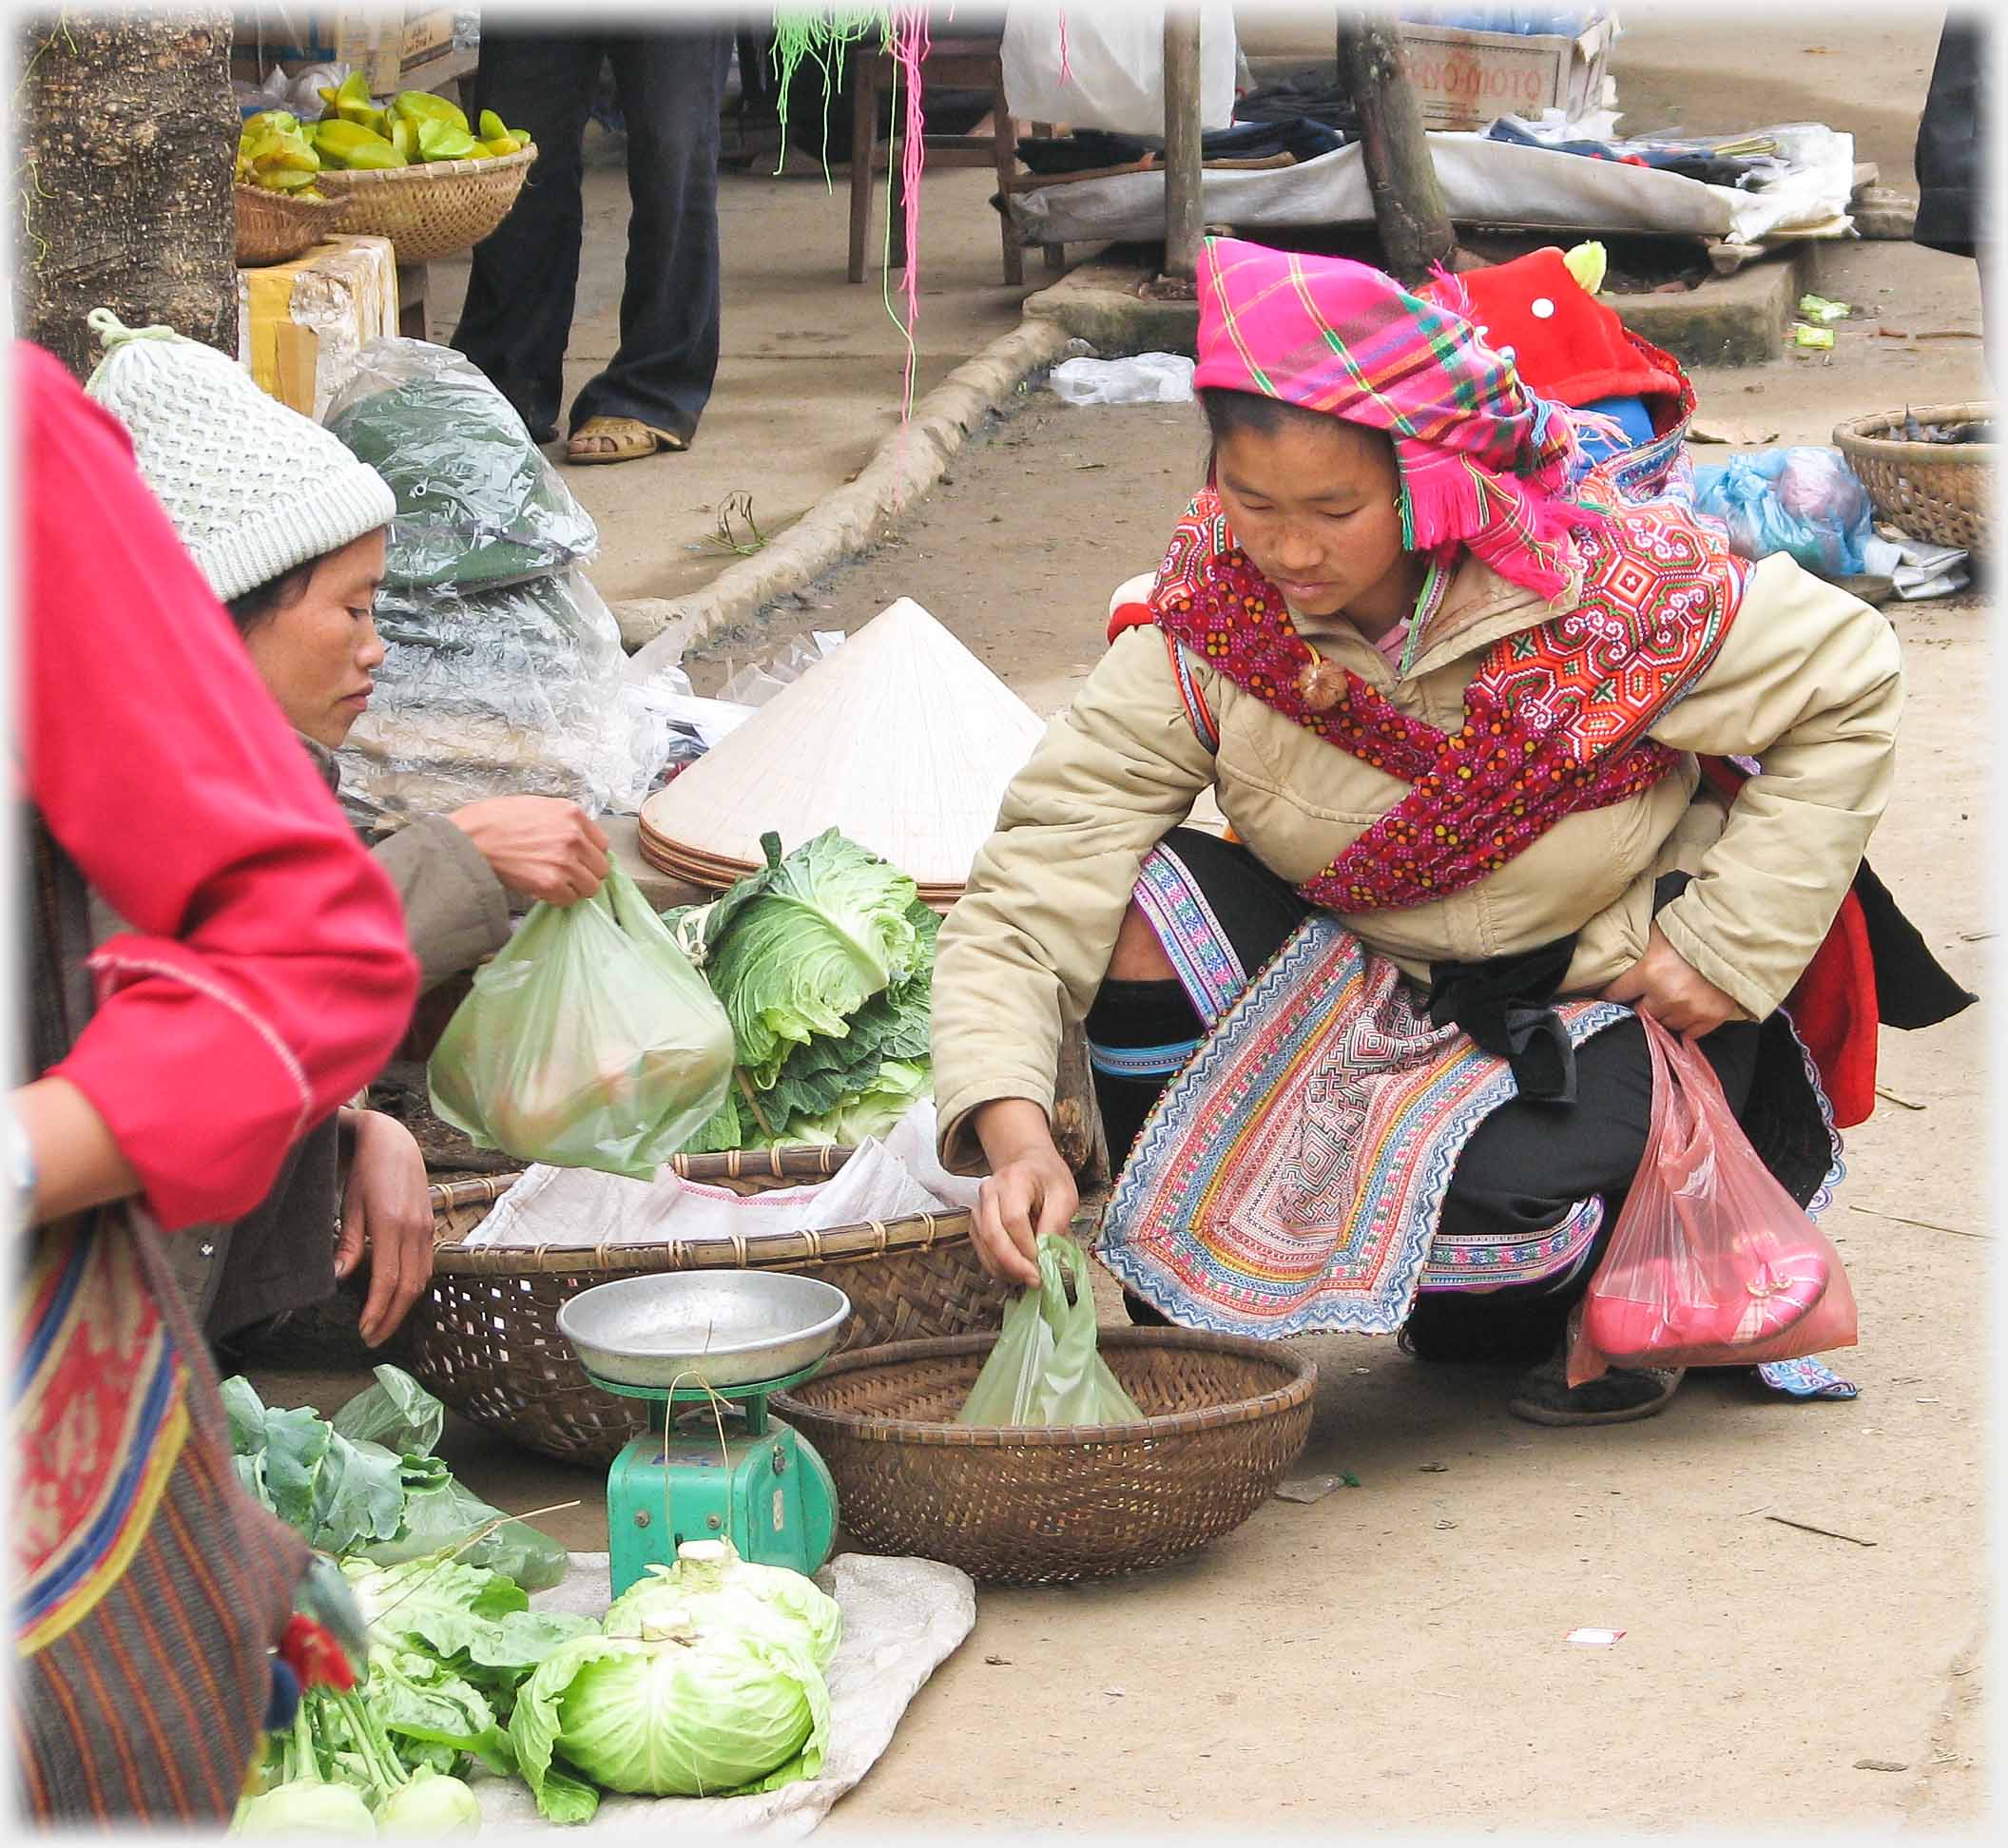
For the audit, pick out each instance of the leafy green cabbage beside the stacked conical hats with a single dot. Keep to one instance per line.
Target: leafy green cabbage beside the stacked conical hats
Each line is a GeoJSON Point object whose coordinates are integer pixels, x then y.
{"type": "Point", "coordinates": [804, 945]}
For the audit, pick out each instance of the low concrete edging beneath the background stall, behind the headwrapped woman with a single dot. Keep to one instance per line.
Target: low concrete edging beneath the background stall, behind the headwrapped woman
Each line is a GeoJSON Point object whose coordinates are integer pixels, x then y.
{"type": "Point", "coordinates": [1736, 320]}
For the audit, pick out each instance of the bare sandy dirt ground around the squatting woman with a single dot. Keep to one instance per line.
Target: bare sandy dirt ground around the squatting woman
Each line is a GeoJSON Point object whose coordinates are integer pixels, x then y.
{"type": "Point", "coordinates": [1393, 1658]}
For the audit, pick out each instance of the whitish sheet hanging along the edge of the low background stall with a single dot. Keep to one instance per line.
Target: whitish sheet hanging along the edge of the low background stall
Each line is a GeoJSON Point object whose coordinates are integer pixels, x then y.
{"type": "Point", "coordinates": [1485, 184]}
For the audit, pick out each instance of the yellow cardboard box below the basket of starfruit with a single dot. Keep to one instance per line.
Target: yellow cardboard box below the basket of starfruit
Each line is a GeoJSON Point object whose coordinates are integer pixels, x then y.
{"type": "Point", "coordinates": [300, 324]}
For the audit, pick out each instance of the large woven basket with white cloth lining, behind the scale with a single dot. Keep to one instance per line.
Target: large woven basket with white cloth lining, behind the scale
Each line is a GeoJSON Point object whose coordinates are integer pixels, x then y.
{"type": "Point", "coordinates": [485, 1337]}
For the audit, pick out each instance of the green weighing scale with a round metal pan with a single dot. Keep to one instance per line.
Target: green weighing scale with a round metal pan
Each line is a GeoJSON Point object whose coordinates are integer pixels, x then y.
{"type": "Point", "coordinates": [684, 1343]}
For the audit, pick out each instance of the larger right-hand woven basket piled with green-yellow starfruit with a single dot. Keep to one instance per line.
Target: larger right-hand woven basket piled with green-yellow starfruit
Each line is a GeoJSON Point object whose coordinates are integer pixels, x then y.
{"type": "Point", "coordinates": [417, 170]}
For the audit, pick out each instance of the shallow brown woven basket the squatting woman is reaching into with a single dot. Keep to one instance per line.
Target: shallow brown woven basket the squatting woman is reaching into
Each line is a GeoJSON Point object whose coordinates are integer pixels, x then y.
{"type": "Point", "coordinates": [1043, 1508]}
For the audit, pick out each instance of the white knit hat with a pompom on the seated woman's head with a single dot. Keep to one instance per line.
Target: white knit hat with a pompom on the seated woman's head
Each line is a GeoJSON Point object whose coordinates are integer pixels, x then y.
{"type": "Point", "coordinates": [252, 487]}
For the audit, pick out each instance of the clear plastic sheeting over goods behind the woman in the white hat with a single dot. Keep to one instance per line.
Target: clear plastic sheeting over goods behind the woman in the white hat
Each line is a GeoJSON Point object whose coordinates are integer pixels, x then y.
{"type": "Point", "coordinates": [503, 668]}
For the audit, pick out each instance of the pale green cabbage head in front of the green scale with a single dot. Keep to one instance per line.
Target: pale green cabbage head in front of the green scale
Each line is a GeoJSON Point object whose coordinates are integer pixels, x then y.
{"type": "Point", "coordinates": [686, 1710]}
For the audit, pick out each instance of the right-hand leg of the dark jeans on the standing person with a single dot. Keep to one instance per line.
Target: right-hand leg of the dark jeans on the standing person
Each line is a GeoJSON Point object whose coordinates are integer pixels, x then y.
{"type": "Point", "coordinates": [672, 87]}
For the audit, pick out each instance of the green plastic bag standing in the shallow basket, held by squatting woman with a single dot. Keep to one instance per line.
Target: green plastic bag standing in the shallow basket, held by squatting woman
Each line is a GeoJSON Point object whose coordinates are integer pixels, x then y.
{"type": "Point", "coordinates": [1045, 1367]}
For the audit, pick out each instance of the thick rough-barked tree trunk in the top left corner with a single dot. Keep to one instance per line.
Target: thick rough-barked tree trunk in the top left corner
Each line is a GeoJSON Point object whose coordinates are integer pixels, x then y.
{"type": "Point", "coordinates": [123, 176]}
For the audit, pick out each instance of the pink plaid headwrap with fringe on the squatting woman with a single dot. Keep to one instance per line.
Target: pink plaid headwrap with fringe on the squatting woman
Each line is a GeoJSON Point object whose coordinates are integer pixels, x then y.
{"type": "Point", "coordinates": [1485, 463]}
